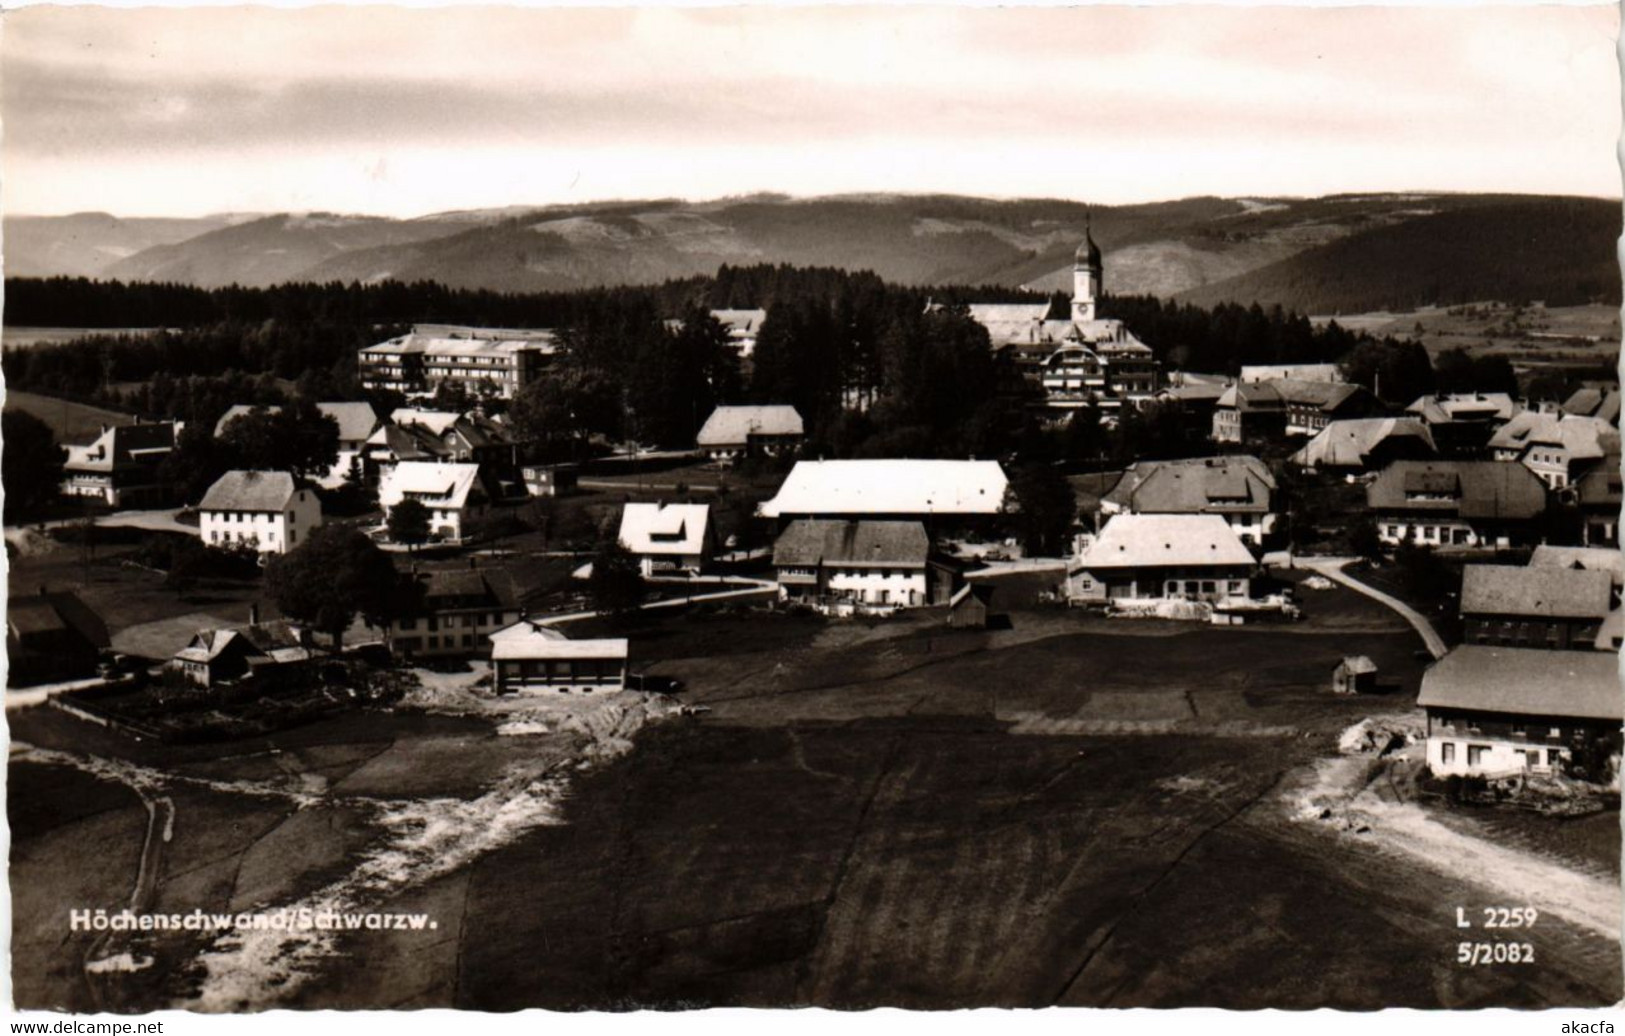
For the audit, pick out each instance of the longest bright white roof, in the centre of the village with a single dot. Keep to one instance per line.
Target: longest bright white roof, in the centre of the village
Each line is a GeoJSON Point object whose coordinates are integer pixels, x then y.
{"type": "Point", "coordinates": [901, 490]}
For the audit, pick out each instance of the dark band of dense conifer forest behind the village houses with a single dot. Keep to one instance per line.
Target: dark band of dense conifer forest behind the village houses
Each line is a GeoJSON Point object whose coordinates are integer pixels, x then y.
{"type": "Point", "coordinates": [877, 369]}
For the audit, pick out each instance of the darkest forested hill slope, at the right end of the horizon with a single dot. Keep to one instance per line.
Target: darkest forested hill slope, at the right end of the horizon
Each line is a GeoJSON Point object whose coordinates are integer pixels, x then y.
{"type": "Point", "coordinates": [1556, 251]}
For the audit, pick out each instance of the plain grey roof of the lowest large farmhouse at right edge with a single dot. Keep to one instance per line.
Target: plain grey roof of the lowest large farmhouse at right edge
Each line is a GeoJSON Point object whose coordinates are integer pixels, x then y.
{"type": "Point", "coordinates": [1525, 683]}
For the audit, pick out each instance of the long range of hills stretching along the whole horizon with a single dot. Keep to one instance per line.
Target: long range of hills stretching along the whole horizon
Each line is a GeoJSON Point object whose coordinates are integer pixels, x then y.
{"type": "Point", "coordinates": [1335, 254]}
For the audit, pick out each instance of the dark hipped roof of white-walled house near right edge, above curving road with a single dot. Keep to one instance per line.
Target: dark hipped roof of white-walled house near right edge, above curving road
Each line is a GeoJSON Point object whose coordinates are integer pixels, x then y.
{"type": "Point", "coordinates": [1473, 490]}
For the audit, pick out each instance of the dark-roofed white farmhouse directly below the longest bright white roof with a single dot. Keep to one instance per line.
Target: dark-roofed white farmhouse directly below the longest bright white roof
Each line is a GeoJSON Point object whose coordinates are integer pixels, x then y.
{"type": "Point", "coordinates": [867, 566]}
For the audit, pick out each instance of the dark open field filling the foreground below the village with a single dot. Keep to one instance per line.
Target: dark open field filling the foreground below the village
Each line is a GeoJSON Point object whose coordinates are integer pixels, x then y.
{"type": "Point", "coordinates": [1067, 811]}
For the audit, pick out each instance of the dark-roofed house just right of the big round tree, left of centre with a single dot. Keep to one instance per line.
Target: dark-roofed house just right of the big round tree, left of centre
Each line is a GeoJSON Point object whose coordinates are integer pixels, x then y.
{"type": "Point", "coordinates": [459, 613]}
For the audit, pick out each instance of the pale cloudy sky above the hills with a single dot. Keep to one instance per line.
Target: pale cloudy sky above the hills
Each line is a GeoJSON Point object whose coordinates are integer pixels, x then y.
{"type": "Point", "coordinates": [415, 111]}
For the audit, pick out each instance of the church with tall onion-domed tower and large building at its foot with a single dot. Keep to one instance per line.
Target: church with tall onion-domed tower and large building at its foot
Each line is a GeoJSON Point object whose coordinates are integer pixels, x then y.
{"type": "Point", "coordinates": [1080, 358]}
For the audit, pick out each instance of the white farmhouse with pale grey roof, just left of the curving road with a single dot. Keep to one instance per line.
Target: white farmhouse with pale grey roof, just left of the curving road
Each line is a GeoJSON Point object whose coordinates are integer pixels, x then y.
{"type": "Point", "coordinates": [1192, 558]}
